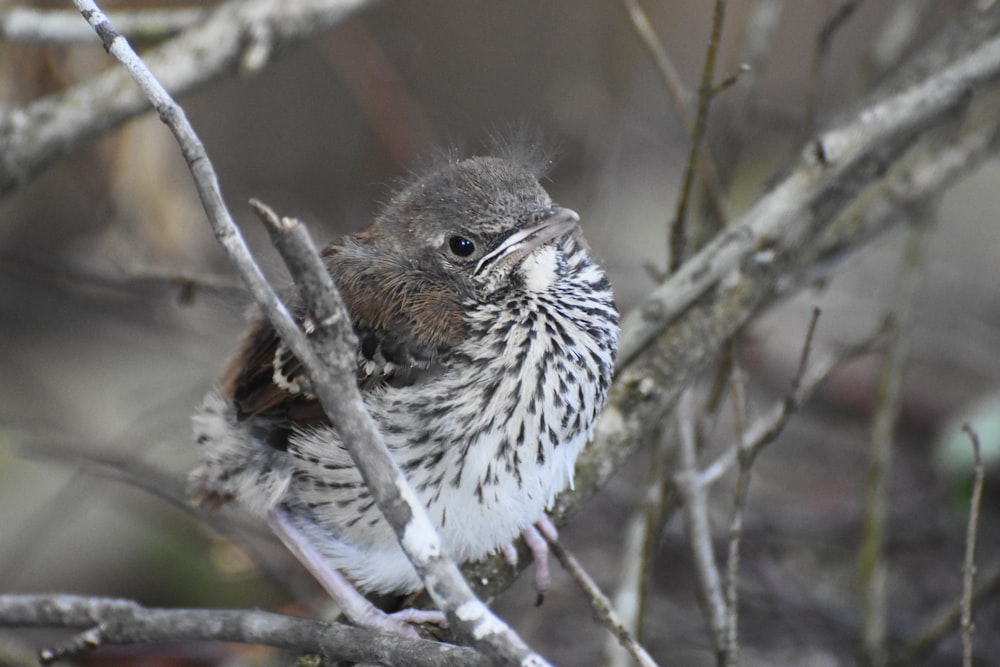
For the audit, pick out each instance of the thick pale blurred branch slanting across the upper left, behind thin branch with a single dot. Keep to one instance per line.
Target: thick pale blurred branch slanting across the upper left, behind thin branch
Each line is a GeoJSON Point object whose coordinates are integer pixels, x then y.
{"type": "Point", "coordinates": [237, 36]}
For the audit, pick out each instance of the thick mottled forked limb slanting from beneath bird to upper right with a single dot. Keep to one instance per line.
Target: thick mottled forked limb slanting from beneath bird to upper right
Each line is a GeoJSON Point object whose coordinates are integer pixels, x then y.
{"type": "Point", "coordinates": [841, 194]}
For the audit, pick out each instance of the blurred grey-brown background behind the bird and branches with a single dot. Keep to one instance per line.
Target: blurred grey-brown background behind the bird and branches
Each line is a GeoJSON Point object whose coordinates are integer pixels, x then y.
{"type": "Point", "coordinates": [117, 309]}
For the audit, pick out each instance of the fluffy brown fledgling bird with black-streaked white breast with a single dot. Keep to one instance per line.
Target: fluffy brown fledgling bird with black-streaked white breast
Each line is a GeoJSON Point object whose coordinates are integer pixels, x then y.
{"type": "Point", "coordinates": [487, 336]}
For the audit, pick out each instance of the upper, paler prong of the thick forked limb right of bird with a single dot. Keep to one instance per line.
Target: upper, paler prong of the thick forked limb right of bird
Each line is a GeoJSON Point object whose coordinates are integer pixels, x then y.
{"type": "Point", "coordinates": [833, 169]}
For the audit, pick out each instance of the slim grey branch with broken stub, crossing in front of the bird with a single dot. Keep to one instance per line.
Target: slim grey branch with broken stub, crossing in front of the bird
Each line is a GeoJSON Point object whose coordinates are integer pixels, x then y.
{"type": "Point", "coordinates": [330, 362]}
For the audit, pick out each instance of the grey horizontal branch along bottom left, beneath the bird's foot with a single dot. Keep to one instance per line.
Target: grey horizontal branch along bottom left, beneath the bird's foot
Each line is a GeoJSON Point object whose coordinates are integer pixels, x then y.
{"type": "Point", "coordinates": [107, 621]}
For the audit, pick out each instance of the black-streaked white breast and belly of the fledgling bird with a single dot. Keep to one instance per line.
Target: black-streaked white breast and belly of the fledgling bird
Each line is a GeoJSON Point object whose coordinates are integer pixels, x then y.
{"type": "Point", "coordinates": [495, 436]}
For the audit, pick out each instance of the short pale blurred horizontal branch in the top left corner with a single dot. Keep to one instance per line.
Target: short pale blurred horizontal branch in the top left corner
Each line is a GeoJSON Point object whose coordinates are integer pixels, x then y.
{"type": "Point", "coordinates": [46, 27]}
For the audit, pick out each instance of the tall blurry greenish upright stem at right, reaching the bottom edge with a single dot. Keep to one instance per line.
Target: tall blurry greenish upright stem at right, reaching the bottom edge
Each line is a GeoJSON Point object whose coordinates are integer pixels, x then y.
{"type": "Point", "coordinates": [872, 557]}
